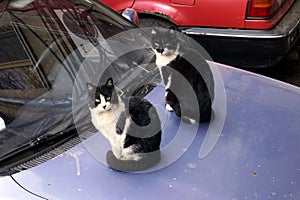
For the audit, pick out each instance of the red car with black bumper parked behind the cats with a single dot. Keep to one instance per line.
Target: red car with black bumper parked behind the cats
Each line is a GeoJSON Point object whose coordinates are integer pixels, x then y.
{"type": "Point", "coordinates": [244, 33]}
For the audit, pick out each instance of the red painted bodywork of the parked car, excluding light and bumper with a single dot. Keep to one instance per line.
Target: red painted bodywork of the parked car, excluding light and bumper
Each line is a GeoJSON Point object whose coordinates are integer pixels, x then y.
{"type": "Point", "coordinates": [221, 14]}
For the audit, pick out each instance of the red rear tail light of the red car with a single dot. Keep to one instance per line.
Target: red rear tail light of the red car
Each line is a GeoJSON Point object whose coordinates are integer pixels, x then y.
{"type": "Point", "coordinates": [262, 8]}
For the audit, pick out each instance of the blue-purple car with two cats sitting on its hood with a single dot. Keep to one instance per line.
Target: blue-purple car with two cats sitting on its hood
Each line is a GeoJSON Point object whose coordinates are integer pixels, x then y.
{"type": "Point", "coordinates": [50, 150]}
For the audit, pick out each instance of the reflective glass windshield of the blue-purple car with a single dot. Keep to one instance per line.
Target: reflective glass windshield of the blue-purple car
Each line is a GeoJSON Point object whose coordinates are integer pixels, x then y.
{"type": "Point", "coordinates": [48, 51]}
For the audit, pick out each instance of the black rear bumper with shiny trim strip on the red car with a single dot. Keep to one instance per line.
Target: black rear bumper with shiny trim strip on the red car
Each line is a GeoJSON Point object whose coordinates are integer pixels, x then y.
{"type": "Point", "coordinates": [250, 48]}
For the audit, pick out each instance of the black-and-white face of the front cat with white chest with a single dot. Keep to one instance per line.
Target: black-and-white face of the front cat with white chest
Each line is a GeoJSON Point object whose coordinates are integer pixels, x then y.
{"type": "Point", "coordinates": [102, 97]}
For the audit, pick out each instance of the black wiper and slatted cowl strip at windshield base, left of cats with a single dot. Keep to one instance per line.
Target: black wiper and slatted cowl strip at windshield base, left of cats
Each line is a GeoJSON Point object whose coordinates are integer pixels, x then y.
{"type": "Point", "coordinates": [43, 148]}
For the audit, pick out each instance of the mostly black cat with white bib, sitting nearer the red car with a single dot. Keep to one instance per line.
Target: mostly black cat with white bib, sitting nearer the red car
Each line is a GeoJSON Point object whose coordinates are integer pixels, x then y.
{"type": "Point", "coordinates": [173, 60]}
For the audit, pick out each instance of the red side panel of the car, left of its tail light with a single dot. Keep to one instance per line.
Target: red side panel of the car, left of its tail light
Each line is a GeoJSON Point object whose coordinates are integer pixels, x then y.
{"type": "Point", "coordinates": [180, 13]}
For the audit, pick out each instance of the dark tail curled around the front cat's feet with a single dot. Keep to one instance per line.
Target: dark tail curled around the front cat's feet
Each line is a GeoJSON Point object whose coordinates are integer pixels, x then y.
{"type": "Point", "coordinates": [148, 160]}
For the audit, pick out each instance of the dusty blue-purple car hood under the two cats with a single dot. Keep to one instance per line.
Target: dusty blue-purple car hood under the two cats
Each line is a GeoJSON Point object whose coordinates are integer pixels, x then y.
{"type": "Point", "coordinates": [255, 157]}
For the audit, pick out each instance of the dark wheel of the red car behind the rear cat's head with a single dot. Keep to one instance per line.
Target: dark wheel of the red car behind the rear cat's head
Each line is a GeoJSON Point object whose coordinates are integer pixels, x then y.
{"type": "Point", "coordinates": [155, 22]}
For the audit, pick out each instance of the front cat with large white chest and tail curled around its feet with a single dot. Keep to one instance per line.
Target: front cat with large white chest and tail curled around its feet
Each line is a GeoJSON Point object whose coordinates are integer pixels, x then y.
{"type": "Point", "coordinates": [131, 125]}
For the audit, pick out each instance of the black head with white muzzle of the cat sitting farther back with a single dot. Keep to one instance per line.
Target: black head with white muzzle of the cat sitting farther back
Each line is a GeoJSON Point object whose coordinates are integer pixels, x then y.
{"type": "Point", "coordinates": [164, 43]}
